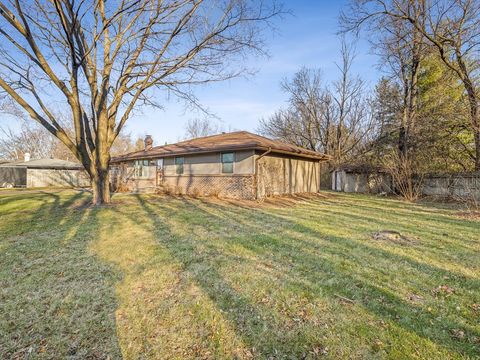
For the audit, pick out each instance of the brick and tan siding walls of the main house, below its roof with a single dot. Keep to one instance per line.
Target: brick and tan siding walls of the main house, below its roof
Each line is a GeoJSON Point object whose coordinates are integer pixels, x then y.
{"type": "Point", "coordinates": [255, 176]}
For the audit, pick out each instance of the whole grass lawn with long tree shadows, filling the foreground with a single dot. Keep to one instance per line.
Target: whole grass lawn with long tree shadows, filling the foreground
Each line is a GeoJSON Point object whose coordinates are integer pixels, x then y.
{"type": "Point", "coordinates": [163, 277]}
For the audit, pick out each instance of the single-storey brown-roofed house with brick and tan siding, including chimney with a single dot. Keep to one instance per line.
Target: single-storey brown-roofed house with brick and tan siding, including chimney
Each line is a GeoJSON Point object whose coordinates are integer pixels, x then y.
{"type": "Point", "coordinates": [236, 165]}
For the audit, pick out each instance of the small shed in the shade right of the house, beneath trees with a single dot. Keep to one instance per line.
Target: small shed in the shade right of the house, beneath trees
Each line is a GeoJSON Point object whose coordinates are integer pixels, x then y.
{"type": "Point", "coordinates": [361, 179]}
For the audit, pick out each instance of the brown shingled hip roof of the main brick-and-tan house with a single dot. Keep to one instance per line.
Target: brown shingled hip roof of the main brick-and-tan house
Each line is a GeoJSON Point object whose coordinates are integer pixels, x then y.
{"type": "Point", "coordinates": [239, 140]}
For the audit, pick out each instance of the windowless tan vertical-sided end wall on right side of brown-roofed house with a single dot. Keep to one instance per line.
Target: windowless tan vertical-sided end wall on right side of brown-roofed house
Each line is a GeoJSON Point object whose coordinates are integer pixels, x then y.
{"type": "Point", "coordinates": [278, 175]}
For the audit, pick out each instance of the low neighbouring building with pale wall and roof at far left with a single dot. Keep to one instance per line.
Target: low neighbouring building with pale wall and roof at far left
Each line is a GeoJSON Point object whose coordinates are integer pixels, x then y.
{"type": "Point", "coordinates": [42, 173]}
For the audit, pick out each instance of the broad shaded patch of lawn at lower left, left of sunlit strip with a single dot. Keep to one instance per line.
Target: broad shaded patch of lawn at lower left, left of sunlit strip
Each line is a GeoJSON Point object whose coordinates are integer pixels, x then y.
{"type": "Point", "coordinates": [56, 299]}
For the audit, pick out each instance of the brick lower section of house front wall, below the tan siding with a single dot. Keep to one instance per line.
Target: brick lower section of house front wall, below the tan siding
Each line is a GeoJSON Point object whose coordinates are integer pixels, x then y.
{"type": "Point", "coordinates": [228, 186]}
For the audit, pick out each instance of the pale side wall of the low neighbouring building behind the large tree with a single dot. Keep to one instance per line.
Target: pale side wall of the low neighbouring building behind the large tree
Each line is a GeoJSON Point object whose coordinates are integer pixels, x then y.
{"type": "Point", "coordinates": [56, 178]}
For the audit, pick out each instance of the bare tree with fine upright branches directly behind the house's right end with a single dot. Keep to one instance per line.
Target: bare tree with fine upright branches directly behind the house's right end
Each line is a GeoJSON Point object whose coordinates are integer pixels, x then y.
{"type": "Point", "coordinates": [333, 119]}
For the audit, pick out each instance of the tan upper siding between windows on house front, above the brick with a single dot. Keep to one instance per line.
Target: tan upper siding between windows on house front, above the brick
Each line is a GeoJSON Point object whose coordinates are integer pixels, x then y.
{"type": "Point", "coordinates": [210, 164]}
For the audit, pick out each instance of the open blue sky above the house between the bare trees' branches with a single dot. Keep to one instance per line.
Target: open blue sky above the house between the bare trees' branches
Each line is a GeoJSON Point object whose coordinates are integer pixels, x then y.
{"type": "Point", "coordinates": [305, 38]}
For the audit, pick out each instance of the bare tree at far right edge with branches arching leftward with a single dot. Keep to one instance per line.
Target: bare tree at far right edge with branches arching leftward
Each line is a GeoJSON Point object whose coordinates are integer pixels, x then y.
{"type": "Point", "coordinates": [452, 27]}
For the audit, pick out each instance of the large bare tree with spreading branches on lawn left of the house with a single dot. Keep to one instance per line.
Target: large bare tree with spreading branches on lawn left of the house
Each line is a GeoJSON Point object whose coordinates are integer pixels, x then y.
{"type": "Point", "coordinates": [99, 60]}
